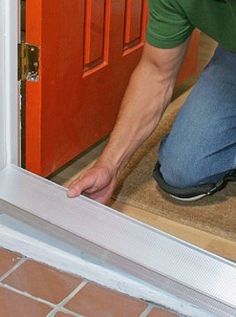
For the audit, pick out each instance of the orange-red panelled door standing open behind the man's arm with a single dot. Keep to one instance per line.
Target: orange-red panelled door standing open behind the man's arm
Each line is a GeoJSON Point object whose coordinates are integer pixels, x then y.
{"type": "Point", "coordinates": [88, 50]}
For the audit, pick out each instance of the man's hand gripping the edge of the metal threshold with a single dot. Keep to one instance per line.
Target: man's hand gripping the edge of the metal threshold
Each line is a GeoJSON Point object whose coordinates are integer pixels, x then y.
{"type": "Point", "coordinates": [97, 183]}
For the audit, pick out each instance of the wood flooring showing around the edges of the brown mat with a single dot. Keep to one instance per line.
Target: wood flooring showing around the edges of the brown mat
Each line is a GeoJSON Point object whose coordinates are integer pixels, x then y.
{"type": "Point", "coordinates": [217, 245]}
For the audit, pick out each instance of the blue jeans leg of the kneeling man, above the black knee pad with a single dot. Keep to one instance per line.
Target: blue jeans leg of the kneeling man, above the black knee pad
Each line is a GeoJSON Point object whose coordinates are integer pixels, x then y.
{"type": "Point", "coordinates": [201, 147]}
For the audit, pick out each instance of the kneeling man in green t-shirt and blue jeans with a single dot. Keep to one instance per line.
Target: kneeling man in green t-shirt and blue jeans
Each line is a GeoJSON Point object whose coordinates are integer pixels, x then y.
{"type": "Point", "coordinates": [198, 157]}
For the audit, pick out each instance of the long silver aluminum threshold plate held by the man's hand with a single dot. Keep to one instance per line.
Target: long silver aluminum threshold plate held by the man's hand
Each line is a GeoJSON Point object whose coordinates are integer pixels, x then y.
{"type": "Point", "coordinates": [156, 258]}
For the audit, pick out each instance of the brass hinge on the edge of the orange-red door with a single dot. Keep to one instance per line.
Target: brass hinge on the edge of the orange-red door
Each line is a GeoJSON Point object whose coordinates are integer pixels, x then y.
{"type": "Point", "coordinates": [28, 63]}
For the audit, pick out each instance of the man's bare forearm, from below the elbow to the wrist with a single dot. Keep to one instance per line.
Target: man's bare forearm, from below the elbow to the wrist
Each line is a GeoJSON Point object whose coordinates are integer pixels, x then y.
{"type": "Point", "coordinates": [145, 100]}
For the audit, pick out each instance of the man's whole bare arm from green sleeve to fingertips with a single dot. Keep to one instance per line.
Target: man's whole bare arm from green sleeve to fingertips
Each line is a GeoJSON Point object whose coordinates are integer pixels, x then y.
{"type": "Point", "coordinates": [147, 96]}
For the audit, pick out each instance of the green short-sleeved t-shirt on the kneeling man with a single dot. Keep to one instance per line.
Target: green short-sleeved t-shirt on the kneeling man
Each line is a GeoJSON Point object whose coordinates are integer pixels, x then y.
{"type": "Point", "coordinates": [171, 22]}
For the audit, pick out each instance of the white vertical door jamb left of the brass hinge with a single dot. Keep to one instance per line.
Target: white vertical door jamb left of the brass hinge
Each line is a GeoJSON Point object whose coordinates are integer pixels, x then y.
{"type": "Point", "coordinates": [9, 113]}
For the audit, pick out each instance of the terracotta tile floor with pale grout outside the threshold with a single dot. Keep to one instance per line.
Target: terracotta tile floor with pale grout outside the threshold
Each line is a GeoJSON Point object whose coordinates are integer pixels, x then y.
{"type": "Point", "coordinates": [31, 289]}
